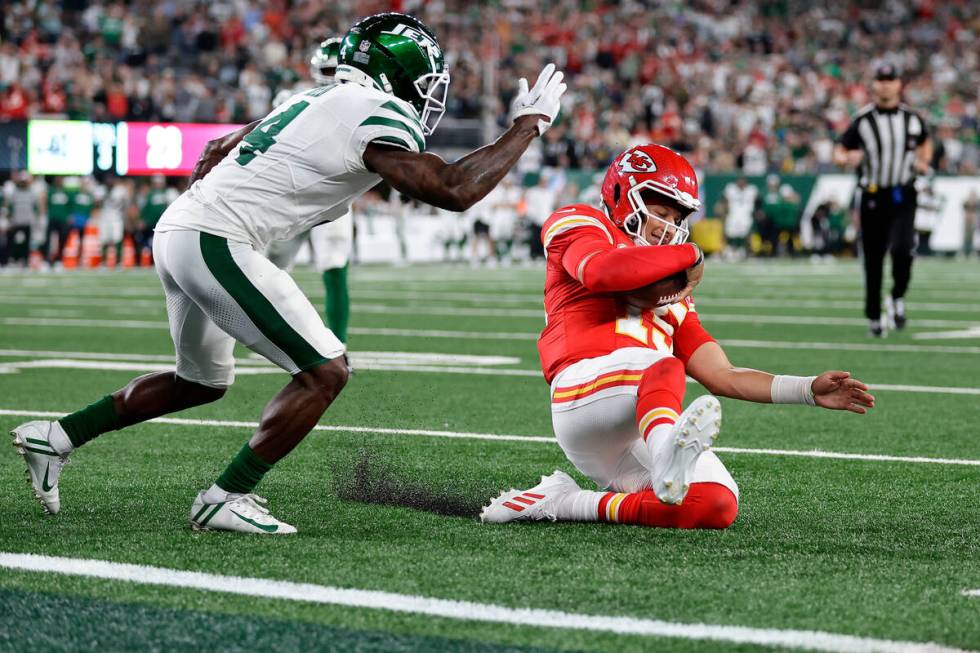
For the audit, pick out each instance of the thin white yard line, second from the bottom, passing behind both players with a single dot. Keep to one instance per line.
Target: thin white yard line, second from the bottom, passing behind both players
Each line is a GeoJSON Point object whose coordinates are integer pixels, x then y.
{"type": "Point", "coordinates": [463, 435]}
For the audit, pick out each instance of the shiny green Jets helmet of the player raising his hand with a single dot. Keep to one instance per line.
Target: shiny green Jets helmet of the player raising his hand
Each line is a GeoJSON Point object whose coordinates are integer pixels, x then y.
{"type": "Point", "coordinates": [398, 54]}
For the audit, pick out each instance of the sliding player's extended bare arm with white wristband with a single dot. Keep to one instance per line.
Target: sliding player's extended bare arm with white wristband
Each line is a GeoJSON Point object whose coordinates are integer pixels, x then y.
{"type": "Point", "coordinates": [835, 390]}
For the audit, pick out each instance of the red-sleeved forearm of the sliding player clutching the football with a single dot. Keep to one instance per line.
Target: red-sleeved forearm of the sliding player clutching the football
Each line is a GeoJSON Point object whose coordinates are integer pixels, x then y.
{"type": "Point", "coordinates": [615, 270]}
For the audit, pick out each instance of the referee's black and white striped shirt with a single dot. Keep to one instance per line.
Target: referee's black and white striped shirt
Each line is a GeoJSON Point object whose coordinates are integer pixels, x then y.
{"type": "Point", "coordinates": [889, 138]}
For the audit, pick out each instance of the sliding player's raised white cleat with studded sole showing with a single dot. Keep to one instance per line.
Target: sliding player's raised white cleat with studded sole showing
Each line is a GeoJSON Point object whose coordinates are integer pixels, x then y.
{"type": "Point", "coordinates": [676, 455]}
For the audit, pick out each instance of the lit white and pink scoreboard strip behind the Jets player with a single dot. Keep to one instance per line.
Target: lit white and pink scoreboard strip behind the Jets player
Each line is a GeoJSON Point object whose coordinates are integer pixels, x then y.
{"type": "Point", "coordinates": [80, 147]}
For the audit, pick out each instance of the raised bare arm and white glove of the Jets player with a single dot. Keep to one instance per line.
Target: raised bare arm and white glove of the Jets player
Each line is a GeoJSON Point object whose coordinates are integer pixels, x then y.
{"type": "Point", "coordinates": [458, 186]}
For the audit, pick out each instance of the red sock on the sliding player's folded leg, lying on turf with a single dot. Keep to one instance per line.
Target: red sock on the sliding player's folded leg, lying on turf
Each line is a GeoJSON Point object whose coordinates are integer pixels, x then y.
{"type": "Point", "coordinates": [707, 505]}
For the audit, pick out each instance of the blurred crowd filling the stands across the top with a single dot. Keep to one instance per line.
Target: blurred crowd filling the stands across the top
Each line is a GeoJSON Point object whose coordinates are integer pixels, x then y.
{"type": "Point", "coordinates": [751, 86]}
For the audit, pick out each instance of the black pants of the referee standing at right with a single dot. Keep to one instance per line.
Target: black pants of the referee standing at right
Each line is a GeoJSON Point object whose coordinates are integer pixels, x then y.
{"type": "Point", "coordinates": [887, 223]}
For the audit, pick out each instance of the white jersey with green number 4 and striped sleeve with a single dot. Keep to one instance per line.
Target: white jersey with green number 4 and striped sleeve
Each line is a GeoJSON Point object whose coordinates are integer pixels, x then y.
{"type": "Point", "coordinates": [302, 166]}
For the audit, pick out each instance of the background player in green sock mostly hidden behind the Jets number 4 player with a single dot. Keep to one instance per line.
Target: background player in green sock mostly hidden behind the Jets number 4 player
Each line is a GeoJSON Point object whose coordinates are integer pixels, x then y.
{"type": "Point", "coordinates": [330, 243]}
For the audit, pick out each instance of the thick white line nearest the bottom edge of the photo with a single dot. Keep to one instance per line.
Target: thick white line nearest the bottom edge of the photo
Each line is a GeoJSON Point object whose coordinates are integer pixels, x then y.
{"type": "Point", "coordinates": [460, 610]}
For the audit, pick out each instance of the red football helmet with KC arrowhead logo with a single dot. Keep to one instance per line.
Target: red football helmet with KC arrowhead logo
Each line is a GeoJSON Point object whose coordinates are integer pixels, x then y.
{"type": "Point", "coordinates": [646, 169]}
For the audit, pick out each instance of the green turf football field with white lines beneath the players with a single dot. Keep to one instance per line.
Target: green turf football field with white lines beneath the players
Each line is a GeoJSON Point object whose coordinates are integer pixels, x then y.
{"type": "Point", "coordinates": [854, 533]}
